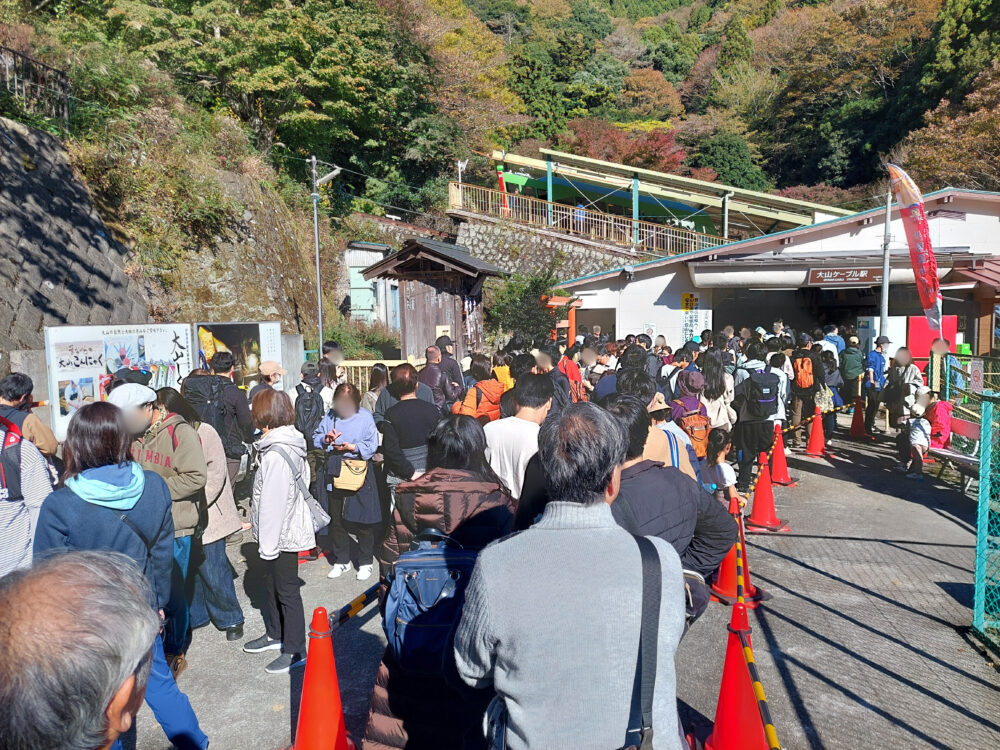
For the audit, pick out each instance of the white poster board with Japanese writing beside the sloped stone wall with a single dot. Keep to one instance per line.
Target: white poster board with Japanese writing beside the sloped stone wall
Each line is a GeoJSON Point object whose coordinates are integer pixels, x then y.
{"type": "Point", "coordinates": [82, 359]}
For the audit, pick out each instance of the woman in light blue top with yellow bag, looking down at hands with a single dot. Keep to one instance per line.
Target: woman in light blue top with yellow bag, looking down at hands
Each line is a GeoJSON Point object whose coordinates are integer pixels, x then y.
{"type": "Point", "coordinates": [350, 438]}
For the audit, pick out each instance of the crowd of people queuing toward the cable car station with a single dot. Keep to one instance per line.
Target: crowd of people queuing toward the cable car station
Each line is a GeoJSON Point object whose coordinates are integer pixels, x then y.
{"type": "Point", "coordinates": [546, 461]}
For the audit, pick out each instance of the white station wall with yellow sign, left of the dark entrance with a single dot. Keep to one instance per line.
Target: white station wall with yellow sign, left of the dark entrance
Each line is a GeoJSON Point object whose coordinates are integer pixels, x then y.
{"type": "Point", "coordinates": [664, 302]}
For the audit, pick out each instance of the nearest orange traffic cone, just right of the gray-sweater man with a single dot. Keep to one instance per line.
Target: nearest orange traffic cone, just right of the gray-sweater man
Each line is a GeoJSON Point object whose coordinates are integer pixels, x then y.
{"type": "Point", "coordinates": [738, 725]}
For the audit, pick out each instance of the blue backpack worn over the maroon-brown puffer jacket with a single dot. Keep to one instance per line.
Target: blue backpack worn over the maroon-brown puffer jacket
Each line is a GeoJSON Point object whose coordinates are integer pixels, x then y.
{"type": "Point", "coordinates": [424, 603]}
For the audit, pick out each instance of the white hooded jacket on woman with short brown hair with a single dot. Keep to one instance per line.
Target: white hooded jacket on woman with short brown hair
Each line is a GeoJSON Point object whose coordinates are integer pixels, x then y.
{"type": "Point", "coordinates": [279, 516]}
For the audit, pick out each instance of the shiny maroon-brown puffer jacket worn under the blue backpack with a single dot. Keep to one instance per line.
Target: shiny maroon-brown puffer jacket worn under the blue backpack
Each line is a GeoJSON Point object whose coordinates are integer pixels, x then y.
{"type": "Point", "coordinates": [427, 711]}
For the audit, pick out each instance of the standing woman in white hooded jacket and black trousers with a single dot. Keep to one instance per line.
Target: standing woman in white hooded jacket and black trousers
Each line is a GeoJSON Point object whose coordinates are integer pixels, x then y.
{"type": "Point", "coordinates": [282, 524]}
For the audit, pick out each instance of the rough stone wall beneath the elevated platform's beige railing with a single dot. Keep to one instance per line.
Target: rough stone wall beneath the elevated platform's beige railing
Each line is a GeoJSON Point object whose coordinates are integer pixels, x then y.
{"type": "Point", "coordinates": [520, 249]}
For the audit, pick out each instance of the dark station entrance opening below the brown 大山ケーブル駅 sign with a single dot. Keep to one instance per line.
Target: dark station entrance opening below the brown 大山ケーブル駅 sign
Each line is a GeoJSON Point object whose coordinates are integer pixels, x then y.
{"type": "Point", "coordinates": [802, 309]}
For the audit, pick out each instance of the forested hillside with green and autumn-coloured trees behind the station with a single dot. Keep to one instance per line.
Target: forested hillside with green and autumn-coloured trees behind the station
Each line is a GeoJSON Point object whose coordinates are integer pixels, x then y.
{"type": "Point", "coordinates": [802, 96]}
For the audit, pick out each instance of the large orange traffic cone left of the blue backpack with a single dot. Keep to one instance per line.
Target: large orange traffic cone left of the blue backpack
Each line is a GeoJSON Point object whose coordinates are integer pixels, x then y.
{"type": "Point", "coordinates": [321, 715]}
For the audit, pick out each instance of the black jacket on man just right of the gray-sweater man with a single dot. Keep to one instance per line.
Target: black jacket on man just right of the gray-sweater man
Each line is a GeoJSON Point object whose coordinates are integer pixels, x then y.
{"type": "Point", "coordinates": [658, 500]}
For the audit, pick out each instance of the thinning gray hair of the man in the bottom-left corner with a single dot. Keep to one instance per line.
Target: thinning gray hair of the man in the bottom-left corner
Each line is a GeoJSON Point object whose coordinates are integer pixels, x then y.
{"type": "Point", "coordinates": [72, 630]}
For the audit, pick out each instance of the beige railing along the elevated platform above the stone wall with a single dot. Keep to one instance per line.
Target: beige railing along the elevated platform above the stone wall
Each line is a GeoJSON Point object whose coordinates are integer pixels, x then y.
{"type": "Point", "coordinates": [640, 236]}
